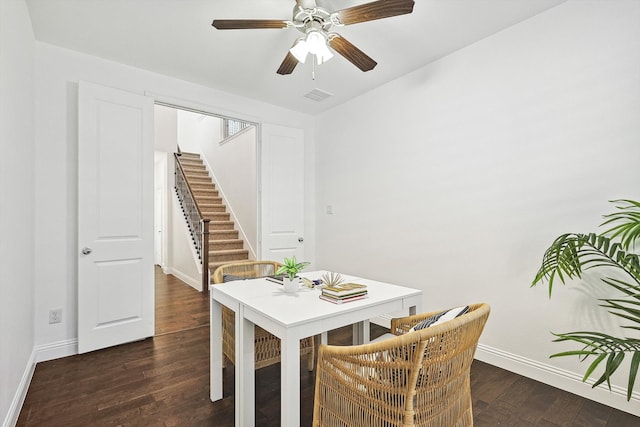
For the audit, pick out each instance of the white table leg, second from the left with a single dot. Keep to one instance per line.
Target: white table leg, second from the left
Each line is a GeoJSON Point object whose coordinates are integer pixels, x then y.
{"type": "Point", "coordinates": [245, 371]}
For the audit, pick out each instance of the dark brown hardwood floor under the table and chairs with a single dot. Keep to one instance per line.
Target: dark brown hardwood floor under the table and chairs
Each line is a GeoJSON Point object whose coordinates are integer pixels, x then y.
{"type": "Point", "coordinates": [164, 381]}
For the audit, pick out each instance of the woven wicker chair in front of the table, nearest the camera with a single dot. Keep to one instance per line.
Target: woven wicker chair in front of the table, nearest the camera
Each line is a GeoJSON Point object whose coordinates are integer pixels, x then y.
{"type": "Point", "coordinates": [419, 378]}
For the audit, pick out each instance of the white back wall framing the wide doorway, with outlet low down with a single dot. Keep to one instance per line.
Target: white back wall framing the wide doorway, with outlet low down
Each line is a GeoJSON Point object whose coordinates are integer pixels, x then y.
{"type": "Point", "coordinates": [57, 73]}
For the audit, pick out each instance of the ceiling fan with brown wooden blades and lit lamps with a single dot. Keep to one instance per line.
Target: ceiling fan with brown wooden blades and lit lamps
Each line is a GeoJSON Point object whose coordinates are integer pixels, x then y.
{"type": "Point", "coordinates": [316, 23]}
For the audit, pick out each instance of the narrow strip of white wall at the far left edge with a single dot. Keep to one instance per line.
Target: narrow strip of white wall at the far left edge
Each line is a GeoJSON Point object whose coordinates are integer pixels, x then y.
{"type": "Point", "coordinates": [16, 210]}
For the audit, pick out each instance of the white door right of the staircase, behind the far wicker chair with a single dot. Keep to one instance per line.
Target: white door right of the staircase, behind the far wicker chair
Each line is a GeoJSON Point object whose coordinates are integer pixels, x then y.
{"type": "Point", "coordinates": [282, 192]}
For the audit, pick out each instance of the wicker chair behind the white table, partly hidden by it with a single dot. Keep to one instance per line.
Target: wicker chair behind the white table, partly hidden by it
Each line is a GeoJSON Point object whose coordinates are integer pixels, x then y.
{"type": "Point", "coordinates": [267, 349]}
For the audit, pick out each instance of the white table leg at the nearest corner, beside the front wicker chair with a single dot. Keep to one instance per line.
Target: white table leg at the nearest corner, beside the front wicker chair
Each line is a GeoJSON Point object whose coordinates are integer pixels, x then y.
{"type": "Point", "coordinates": [290, 382]}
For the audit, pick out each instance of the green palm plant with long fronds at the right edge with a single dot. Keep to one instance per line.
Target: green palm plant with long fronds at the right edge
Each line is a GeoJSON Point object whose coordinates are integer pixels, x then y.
{"type": "Point", "coordinates": [570, 255]}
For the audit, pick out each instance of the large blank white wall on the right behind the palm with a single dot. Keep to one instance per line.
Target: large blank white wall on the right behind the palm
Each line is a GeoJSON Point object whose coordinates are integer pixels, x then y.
{"type": "Point", "coordinates": [455, 178]}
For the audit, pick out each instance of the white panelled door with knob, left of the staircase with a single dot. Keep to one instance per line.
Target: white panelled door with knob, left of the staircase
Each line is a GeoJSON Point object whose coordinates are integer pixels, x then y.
{"type": "Point", "coordinates": [115, 217]}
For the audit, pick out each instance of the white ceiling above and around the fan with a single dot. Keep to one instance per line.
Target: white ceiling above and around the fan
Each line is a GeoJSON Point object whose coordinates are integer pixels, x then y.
{"type": "Point", "coordinates": [175, 38]}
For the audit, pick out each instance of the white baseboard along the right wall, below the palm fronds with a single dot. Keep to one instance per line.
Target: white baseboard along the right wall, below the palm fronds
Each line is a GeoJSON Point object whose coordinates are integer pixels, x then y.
{"type": "Point", "coordinates": [559, 378]}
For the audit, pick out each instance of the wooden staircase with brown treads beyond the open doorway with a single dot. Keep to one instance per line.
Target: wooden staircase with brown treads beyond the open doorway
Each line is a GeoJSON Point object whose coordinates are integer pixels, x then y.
{"type": "Point", "coordinates": [224, 244]}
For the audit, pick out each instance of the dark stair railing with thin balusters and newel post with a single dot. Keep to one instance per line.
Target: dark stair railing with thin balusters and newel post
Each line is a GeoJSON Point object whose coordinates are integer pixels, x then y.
{"type": "Point", "coordinates": [197, 223]}
